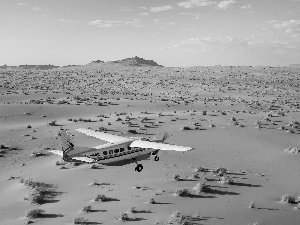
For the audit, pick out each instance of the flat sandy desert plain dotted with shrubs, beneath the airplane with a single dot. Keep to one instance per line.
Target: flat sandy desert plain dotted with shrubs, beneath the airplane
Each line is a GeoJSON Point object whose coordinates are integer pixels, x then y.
{"type": "Point", "coordinates": [243, 123]}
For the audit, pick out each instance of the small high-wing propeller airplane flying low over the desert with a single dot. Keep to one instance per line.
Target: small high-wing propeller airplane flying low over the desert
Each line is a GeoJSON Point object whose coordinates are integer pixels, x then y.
{"type": "Point", "coordinates": [117, 149]}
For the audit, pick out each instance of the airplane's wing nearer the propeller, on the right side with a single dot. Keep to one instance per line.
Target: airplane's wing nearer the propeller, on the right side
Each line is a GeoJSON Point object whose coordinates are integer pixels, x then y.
{"type": "Point", "coordinates": [160, 146]}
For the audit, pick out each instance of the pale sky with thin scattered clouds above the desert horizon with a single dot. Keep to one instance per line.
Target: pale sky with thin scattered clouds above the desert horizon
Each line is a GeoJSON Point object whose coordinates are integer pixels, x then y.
{"type": "Point", "coordinates": [171, 32]}
